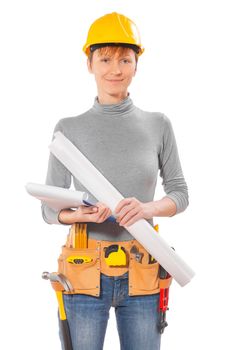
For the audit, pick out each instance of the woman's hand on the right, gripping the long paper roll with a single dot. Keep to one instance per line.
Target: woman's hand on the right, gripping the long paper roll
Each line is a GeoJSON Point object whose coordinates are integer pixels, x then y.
{"type": "Point", "coordinates": [130, 210]}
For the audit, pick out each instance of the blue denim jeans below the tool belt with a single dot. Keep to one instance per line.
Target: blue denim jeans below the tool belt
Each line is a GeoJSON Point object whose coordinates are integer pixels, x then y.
{"type": "Point", "coordinates": [136, 317]}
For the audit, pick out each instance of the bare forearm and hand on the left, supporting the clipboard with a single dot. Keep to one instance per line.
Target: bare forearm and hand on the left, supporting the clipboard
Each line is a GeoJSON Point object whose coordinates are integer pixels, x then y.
{"type": "Point", "coordinates": [97, 213]}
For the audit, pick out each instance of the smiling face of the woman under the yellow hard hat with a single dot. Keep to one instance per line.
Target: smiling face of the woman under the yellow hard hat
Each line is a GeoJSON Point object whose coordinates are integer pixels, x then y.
{"type": "Point", "coordinates": [113, 73]}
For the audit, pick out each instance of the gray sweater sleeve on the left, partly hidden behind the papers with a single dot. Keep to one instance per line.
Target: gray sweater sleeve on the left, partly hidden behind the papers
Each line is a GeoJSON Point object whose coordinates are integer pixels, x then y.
{"type": "Point", "coordinates": [57, 175]}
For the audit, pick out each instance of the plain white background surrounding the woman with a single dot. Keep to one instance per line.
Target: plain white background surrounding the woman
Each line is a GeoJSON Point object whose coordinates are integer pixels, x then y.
{"type": "Point", "coordinates": [186, 72]}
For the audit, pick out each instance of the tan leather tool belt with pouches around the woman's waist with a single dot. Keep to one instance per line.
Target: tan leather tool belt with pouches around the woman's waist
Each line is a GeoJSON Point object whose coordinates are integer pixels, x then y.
{"type": "Point", "coordinates": [82, 266]}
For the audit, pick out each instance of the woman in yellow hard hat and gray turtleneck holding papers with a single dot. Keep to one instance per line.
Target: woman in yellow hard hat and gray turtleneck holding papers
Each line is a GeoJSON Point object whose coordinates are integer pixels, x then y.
{"type": "Point", "coordinates": [129, 146]}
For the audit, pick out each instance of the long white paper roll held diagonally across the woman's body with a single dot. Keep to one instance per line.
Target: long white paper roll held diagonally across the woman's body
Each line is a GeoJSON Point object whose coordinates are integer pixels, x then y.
{"type": "Point", "coordinates": [105, 192]}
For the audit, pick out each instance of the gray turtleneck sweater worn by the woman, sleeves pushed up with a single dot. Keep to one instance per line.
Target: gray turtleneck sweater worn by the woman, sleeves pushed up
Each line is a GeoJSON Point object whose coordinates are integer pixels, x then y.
{"type": "Point", "coordinates": [128, 146]}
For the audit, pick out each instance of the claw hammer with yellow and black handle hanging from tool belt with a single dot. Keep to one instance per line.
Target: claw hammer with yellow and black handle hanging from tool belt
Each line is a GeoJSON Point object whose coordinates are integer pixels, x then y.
{"type": "Point", "coordinates": [59, 277]}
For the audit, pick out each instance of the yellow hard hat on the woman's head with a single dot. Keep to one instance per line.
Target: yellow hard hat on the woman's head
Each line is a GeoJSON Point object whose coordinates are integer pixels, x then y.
{"type": "Point", "coordinates": [113, 29]}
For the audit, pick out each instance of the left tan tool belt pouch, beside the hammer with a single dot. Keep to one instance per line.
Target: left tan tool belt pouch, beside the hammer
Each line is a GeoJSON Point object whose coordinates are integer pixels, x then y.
{"type": "Point", "coordinates": [82, 268]}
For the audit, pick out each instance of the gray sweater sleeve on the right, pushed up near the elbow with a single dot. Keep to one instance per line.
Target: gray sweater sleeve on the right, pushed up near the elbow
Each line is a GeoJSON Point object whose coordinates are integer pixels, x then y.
{"type": "Point", "coordinates": [174, 183]}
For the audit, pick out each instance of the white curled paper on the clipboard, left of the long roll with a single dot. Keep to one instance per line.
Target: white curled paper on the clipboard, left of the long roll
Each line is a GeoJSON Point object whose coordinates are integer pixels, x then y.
{"type": "Point", "coordinates": [58, 197]}
